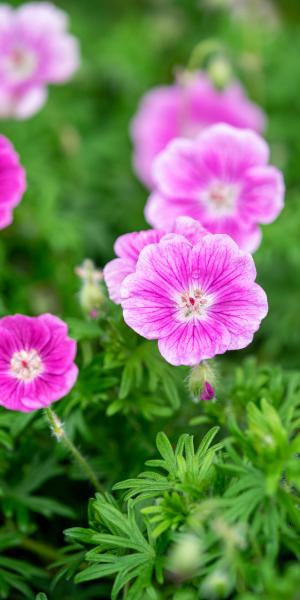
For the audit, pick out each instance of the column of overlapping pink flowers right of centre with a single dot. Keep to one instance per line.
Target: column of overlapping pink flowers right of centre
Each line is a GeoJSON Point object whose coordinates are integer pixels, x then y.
{"type": "Point", "coordinates": [190, 282]}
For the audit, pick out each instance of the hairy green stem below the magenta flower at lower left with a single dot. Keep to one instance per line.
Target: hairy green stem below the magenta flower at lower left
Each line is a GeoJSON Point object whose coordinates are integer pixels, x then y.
{"type": "Point", "coordinates": [58, 430]}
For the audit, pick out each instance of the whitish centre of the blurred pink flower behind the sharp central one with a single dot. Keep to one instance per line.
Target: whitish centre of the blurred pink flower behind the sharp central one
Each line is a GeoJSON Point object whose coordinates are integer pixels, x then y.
{"type": "Point", "coordinates": [220, 198]}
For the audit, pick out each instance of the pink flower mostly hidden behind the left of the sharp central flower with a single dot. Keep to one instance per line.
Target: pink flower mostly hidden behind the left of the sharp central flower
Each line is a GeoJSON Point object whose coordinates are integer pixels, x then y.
{"type": "Point", "coordinates": [128, 247]}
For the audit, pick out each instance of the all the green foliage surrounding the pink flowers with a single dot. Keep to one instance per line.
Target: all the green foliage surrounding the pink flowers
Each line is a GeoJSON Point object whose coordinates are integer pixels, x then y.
{"type": "Point", "coordinates": [230, 505]}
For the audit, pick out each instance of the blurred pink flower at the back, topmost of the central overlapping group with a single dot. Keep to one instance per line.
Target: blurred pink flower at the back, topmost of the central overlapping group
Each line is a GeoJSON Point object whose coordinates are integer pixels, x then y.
{"type": "Point", "coordinates": [184, 110]}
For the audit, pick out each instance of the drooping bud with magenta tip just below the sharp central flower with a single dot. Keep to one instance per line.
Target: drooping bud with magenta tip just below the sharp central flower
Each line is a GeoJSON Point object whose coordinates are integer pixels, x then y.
{"type": "Point", "coordinates": [201, 382]}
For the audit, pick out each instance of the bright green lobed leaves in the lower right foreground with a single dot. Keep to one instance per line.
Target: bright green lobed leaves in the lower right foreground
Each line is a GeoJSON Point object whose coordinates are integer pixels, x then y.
{"type": "Point", "coordinates": [238, 499]}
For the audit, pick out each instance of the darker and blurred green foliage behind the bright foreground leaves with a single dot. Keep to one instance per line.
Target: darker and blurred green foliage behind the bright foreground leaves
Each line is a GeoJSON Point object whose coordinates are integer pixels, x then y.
{"type": "Point", "coordinates": [82, 193]}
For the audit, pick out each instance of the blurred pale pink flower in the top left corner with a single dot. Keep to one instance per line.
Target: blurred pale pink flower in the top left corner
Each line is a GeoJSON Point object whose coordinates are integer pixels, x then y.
{"type": "Point", "coordinates": [35, 50]}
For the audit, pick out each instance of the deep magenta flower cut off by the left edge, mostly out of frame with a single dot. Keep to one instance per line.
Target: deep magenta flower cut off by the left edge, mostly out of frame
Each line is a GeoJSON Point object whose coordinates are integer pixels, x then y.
{"type": "Point", "coordinates": [12, 181]}
